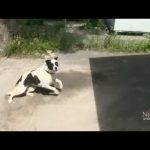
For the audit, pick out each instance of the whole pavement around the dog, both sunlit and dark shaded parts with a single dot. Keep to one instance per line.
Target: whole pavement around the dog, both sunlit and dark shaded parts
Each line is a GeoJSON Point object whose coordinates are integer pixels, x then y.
{"type": "Point", "coordinates": [102, 92]}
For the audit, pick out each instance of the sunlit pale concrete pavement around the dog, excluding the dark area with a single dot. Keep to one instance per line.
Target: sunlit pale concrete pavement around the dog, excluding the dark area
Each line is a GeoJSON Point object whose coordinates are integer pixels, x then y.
{"type": "Point", "coordinates": [73, 110]}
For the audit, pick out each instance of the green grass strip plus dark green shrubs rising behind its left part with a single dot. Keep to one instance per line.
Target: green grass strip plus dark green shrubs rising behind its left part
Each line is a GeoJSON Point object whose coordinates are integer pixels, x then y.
{"type": "Point", "coordinates": [34, 40]}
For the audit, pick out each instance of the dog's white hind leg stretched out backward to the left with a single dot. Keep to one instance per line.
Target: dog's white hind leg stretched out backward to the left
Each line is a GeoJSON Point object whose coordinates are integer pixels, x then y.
{"type": "Point", "coordinates": [18, 90]}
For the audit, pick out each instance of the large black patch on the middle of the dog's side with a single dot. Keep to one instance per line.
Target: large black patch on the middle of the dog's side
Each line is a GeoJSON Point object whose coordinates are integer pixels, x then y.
{"type": "Point", "coordinates": [30, 80]}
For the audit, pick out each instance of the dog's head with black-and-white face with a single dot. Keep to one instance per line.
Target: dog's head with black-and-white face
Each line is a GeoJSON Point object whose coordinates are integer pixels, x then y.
{"type": "Point", "coordinates": [51, 61]}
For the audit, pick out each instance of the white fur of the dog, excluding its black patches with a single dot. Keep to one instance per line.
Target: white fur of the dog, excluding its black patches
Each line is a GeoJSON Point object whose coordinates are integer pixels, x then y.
{"type": "Point", "coordinates": [45, 81]}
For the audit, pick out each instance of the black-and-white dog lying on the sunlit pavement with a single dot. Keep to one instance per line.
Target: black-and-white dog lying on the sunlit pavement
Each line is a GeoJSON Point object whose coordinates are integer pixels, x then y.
{"type": "Point", "coordinates": [42, 77]}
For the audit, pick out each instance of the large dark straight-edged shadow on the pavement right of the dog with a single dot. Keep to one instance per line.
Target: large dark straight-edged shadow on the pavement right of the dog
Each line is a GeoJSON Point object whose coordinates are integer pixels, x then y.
{"type": "Point", "coordinates": [122, 92]}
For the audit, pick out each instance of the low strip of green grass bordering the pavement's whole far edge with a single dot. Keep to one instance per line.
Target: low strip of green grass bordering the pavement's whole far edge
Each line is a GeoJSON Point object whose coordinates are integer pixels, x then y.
{"type": "Point", "coordinates": [68, 42]}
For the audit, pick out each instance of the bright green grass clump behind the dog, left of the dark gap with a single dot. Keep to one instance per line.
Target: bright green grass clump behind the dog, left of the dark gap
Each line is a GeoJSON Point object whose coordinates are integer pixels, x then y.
{"type": "Point", "coordinates": [34, 47]}
